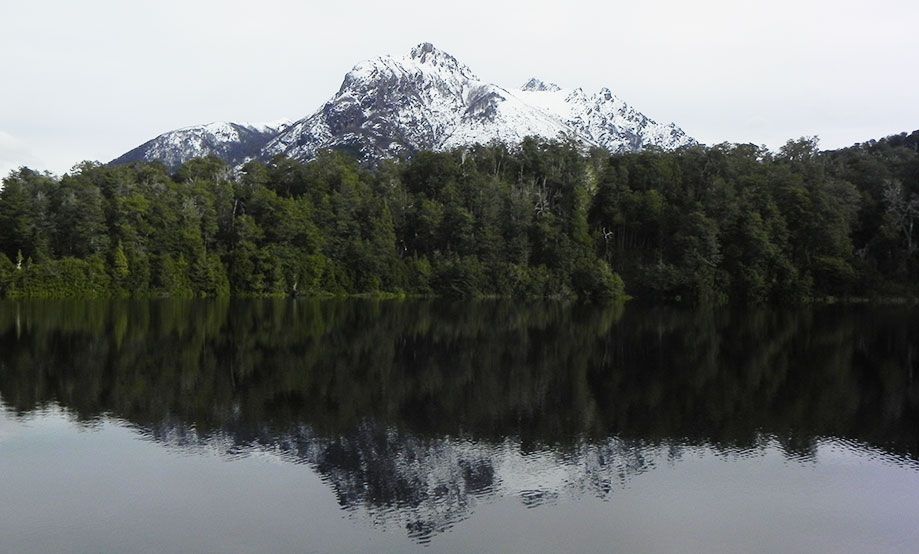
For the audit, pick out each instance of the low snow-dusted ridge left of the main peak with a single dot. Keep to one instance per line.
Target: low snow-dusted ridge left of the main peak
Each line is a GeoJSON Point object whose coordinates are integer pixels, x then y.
{"type": "Point", "coordinates": [234, 142]}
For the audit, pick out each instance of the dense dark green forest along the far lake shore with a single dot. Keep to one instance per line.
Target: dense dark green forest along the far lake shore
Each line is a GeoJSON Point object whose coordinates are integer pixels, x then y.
{"type": "Point", "coordinates": [542, 220]}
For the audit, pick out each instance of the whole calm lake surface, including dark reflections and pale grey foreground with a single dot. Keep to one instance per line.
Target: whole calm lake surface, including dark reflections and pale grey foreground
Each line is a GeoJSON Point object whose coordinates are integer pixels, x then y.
{"type": "Point", "coordinates": [489, 427]}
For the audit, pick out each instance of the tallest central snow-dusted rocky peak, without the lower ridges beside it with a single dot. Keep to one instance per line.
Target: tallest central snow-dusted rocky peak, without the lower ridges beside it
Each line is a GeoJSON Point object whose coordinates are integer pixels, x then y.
{"type": "Point", "coordinates": [424, 101]}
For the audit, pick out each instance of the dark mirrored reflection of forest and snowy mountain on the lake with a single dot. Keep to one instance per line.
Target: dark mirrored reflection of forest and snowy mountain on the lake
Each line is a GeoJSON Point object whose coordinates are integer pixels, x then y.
{"type": "Point", "coordinates": [415, 410]}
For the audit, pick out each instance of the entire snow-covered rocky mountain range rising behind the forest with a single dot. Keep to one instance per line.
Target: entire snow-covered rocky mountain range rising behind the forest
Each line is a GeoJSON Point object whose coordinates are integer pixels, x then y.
{"type": "Point", "coordinates": [427, 100]}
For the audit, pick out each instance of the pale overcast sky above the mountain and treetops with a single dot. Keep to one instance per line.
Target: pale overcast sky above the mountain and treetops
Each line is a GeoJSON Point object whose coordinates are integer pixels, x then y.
{"type": "Point", "coordinates": [91, 79]}
